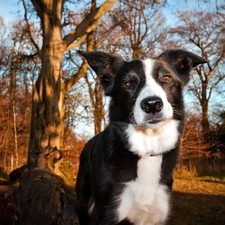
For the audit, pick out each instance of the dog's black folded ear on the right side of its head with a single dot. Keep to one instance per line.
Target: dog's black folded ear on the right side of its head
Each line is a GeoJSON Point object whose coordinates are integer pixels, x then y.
{"type": "Point", "coordinates": [182, 61]}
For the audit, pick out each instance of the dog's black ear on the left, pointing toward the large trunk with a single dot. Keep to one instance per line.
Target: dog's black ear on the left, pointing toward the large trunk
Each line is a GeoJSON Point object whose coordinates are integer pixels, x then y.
{"type": "Point", "coordinates": [105, 66]}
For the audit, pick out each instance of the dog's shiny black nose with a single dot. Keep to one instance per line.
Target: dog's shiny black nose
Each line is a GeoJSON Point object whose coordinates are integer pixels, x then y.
{"type": "Point", "coordinates": [152, 104]}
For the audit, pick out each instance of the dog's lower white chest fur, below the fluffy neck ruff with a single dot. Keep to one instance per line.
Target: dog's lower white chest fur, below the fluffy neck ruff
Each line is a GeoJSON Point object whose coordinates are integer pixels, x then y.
{"type": "Point", "coordinates": [144, 201]}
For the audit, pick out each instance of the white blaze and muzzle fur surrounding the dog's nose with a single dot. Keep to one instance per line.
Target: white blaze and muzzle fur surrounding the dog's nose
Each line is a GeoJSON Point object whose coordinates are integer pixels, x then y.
{"type": "Point", "coordinates": [151, 88]}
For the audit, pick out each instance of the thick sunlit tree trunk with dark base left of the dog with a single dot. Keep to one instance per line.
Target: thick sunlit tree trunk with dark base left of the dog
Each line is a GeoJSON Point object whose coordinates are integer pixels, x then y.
{"type": "Point", "coordinates": [44, 197]}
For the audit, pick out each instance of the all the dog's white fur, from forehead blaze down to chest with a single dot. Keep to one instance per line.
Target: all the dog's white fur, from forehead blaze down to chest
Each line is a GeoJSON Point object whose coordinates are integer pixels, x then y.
{"type": "Point", "coordinates": [149, 143]}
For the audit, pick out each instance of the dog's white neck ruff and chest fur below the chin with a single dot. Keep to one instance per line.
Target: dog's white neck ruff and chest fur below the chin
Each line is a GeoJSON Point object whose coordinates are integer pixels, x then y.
{"type": "Point", "coordinates": [145, 201]}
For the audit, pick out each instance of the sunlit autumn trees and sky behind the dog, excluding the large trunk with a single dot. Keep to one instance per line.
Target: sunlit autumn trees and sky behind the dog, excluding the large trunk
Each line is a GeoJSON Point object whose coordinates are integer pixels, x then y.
{"type": "Point", "coordinates": [135, 31]}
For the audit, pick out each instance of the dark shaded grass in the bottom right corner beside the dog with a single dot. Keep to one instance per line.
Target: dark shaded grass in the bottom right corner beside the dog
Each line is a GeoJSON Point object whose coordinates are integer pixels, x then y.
{"type": "Point", "coordinates": [197, 209]}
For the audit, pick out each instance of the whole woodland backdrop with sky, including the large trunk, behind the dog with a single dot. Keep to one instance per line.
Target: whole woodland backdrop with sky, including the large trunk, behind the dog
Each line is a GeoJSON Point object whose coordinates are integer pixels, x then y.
{"type": "Point", "coordinates": [51, 103]}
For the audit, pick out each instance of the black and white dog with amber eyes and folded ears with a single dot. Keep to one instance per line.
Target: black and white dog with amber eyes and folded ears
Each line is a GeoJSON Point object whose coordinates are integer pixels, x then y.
{"type": "Point", "coordinates": [125, 173]}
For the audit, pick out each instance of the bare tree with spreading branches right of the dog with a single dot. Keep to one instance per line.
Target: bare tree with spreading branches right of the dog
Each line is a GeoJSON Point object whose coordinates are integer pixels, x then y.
{"type": "Point", "coordinates": [204, 33]}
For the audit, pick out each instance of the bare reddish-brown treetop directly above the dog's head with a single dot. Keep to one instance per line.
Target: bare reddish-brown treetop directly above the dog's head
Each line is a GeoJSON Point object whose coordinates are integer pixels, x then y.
{"type": "Point", "coordinates": [139, 29]}
